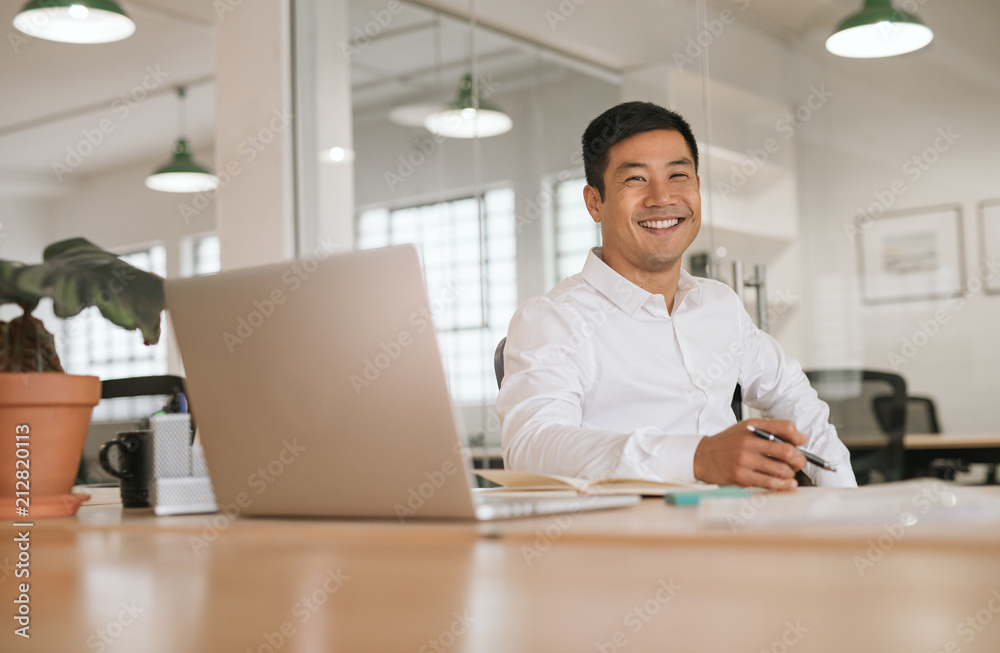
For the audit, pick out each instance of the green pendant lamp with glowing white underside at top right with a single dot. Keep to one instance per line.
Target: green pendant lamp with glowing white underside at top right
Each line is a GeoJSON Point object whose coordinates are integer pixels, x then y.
{"type": "Point", "coordinates": [878, 30]}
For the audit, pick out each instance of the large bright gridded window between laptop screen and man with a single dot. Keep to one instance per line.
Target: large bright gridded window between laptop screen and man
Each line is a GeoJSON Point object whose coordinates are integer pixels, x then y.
{"type": "Point", "coordinates": [469, 268]}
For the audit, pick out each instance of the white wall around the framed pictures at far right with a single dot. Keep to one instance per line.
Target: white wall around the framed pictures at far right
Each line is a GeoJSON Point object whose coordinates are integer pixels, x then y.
{"type": "Point", "coordinates": [850, 155]}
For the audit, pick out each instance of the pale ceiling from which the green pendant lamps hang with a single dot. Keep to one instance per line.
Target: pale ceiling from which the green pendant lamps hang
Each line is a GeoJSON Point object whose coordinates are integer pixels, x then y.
{"type": "Point", "coordinates": [54, 94]}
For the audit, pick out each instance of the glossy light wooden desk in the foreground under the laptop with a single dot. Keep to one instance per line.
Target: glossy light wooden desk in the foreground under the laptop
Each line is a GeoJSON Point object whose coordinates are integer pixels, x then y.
{"type": "Point", "coordinates": [648, 577]}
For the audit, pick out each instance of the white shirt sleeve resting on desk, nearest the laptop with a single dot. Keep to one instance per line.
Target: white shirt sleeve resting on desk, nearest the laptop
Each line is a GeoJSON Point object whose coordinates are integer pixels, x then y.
{"type": "Point", "coordinates": [548, 367]}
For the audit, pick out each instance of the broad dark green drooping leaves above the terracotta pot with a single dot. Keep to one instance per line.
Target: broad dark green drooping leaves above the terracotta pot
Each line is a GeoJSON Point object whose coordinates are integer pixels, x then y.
{"type": "Point", "coordinates": [76, 274]}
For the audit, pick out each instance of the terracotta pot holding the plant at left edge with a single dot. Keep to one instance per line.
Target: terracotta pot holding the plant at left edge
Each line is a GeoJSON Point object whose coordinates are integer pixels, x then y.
{"type": "Point", "coordinates": [56, 410]}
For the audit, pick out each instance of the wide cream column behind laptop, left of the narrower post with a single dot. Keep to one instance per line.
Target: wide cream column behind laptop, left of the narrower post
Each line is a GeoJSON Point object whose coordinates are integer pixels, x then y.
{"type": "Point", "coordinates": [254, 133]}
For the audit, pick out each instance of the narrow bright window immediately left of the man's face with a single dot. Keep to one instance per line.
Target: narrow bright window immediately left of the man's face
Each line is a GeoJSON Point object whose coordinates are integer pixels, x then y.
{"type": "Point", "coordinates": [575, 231]}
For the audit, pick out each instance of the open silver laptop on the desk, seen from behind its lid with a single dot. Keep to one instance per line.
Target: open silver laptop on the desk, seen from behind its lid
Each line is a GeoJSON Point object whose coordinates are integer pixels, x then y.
{"type": "Point", "coordinates": [319, 391]}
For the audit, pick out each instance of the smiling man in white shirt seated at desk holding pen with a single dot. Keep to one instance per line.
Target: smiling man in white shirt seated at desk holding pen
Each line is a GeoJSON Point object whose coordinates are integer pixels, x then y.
{"type": "Point", "coordinates": [628, 368]}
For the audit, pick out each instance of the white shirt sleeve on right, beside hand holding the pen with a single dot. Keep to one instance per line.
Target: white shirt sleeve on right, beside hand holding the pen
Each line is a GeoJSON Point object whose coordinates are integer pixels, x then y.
{"type": "Point", "coordinates": [775, 384]}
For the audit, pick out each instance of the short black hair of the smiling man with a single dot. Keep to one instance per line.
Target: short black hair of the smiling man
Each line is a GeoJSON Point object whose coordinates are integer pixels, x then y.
{"type": "Point", "coordinates": [624, 121]}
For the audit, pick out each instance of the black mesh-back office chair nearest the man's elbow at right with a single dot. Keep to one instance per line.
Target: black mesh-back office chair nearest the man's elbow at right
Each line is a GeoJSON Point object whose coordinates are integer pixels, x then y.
{"type": "Point", "coordinates": [864, 403]}
